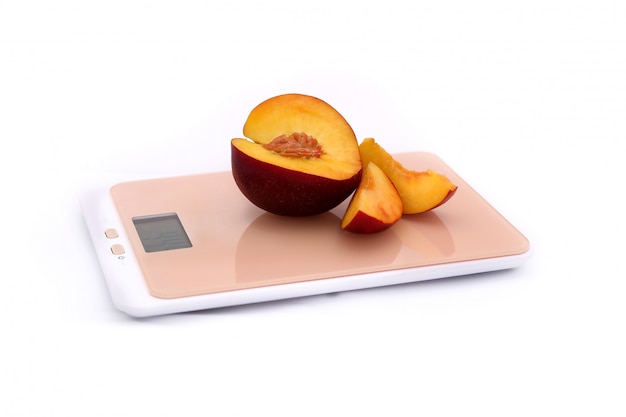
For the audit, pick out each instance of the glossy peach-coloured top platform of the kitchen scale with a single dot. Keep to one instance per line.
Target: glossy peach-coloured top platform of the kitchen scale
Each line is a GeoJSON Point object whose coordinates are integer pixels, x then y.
{"type": "Point", "coordinates": [221, 243]}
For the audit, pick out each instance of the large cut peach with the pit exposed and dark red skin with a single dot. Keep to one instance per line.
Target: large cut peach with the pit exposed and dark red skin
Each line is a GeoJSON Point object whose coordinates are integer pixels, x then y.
{"type": "Point", "coordinates": [300, 158]}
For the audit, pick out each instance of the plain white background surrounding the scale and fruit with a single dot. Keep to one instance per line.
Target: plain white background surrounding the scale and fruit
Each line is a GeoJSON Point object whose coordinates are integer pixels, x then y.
{"type": "Point", "coordinates": [525, 99]}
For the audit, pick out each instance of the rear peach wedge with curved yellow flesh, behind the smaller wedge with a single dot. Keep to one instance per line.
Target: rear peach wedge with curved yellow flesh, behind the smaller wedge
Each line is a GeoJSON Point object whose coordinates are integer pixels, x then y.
{"type": "Point", "coordinates": [420, 191]}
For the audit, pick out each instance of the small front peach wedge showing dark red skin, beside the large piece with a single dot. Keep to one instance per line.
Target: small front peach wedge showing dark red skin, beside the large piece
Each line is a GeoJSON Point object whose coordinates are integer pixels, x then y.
{"type": "Point", "coordinates": [375, 206]}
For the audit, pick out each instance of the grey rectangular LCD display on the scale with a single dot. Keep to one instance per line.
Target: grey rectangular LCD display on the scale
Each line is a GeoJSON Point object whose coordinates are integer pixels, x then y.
{"type": "Point", "coordinates": [161, 232]}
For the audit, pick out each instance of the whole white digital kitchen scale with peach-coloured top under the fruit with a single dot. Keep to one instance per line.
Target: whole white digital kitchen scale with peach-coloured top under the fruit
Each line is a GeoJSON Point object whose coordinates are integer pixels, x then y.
{"type": "Point", "coordinates": [185, 243]}
